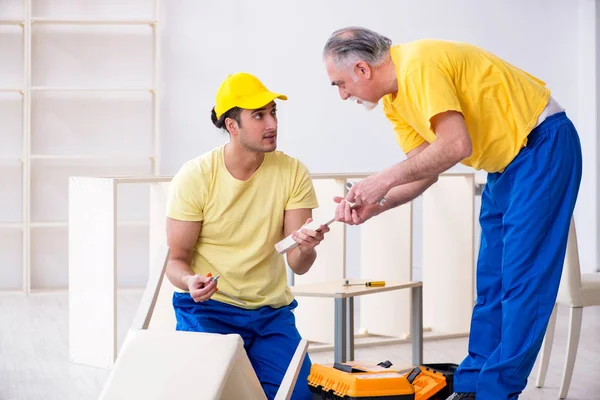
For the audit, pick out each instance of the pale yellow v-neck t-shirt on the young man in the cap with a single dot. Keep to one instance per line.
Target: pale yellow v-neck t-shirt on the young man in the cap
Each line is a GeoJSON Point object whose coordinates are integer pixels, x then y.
{"type": "Point", "coordinates": [241, 222]}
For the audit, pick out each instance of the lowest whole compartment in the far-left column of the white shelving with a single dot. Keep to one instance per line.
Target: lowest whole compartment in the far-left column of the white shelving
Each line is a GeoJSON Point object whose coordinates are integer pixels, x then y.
{"type": "Point", "coordinates": [11, 248]}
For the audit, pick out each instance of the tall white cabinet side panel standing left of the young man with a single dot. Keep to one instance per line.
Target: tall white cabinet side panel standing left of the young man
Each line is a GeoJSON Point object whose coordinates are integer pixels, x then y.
{"type": "Point", "coordinates": [92, 298]}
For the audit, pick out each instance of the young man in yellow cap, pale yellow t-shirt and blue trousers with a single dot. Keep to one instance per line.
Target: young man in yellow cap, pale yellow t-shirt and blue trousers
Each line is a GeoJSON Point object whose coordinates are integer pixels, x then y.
{"type": "Point", "coordinates": [226, 210]}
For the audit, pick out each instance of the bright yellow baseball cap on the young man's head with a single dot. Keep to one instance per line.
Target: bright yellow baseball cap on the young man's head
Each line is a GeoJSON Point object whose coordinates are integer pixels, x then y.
{"type": "Point", "coordinates": [245, 91]}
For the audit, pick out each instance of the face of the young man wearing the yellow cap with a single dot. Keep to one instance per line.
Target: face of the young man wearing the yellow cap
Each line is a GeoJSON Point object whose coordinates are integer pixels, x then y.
{"type": "Point", "coordinates": [258, 131]}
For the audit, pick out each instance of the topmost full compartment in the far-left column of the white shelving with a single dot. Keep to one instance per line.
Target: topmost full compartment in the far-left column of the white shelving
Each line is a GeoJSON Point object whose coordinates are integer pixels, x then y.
{"type": "Point", "coordinates": [11, 54]}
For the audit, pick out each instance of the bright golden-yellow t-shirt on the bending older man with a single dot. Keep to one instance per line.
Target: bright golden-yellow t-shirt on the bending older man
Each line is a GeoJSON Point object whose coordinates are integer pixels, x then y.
{"type": "Point", "coordinates": [500, 102]}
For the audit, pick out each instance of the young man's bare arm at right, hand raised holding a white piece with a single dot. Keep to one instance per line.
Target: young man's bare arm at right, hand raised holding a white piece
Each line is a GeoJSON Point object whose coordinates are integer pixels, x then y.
{"type": "Point", "coordinates": [302, 257]}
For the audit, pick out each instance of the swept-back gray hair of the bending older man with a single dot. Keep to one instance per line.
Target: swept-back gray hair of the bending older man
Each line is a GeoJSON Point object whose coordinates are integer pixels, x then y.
{"type": "Point", "coordinates": [348, 45]}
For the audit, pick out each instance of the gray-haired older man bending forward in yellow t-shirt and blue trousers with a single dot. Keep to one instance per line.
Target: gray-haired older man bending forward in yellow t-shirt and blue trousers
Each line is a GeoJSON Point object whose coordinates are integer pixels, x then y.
{"type": "Point", "coordinates": [451, 103]}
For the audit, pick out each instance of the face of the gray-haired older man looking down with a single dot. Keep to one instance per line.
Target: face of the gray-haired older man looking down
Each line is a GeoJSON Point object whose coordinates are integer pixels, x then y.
{"type": "Point", "coordinates": [352, 84]}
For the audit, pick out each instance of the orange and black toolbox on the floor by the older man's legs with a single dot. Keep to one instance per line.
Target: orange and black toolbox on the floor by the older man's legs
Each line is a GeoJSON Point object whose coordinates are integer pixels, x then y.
{"type": "Point", "coordinates": [361, 381]}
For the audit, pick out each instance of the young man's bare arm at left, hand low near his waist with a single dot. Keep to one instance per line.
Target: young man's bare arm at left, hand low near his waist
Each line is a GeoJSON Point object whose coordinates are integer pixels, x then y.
{"type": "Point", "coordinates": [181, 239]}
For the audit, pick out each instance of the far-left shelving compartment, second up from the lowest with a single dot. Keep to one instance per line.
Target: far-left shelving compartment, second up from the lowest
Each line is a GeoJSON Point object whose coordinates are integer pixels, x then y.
{"type": "Point", "coordinates": [11, 178]}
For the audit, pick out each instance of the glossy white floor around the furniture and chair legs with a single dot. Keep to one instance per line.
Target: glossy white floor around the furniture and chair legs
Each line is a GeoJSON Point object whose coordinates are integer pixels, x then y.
{"type": "Point", "coordinates": [34, 360]}
